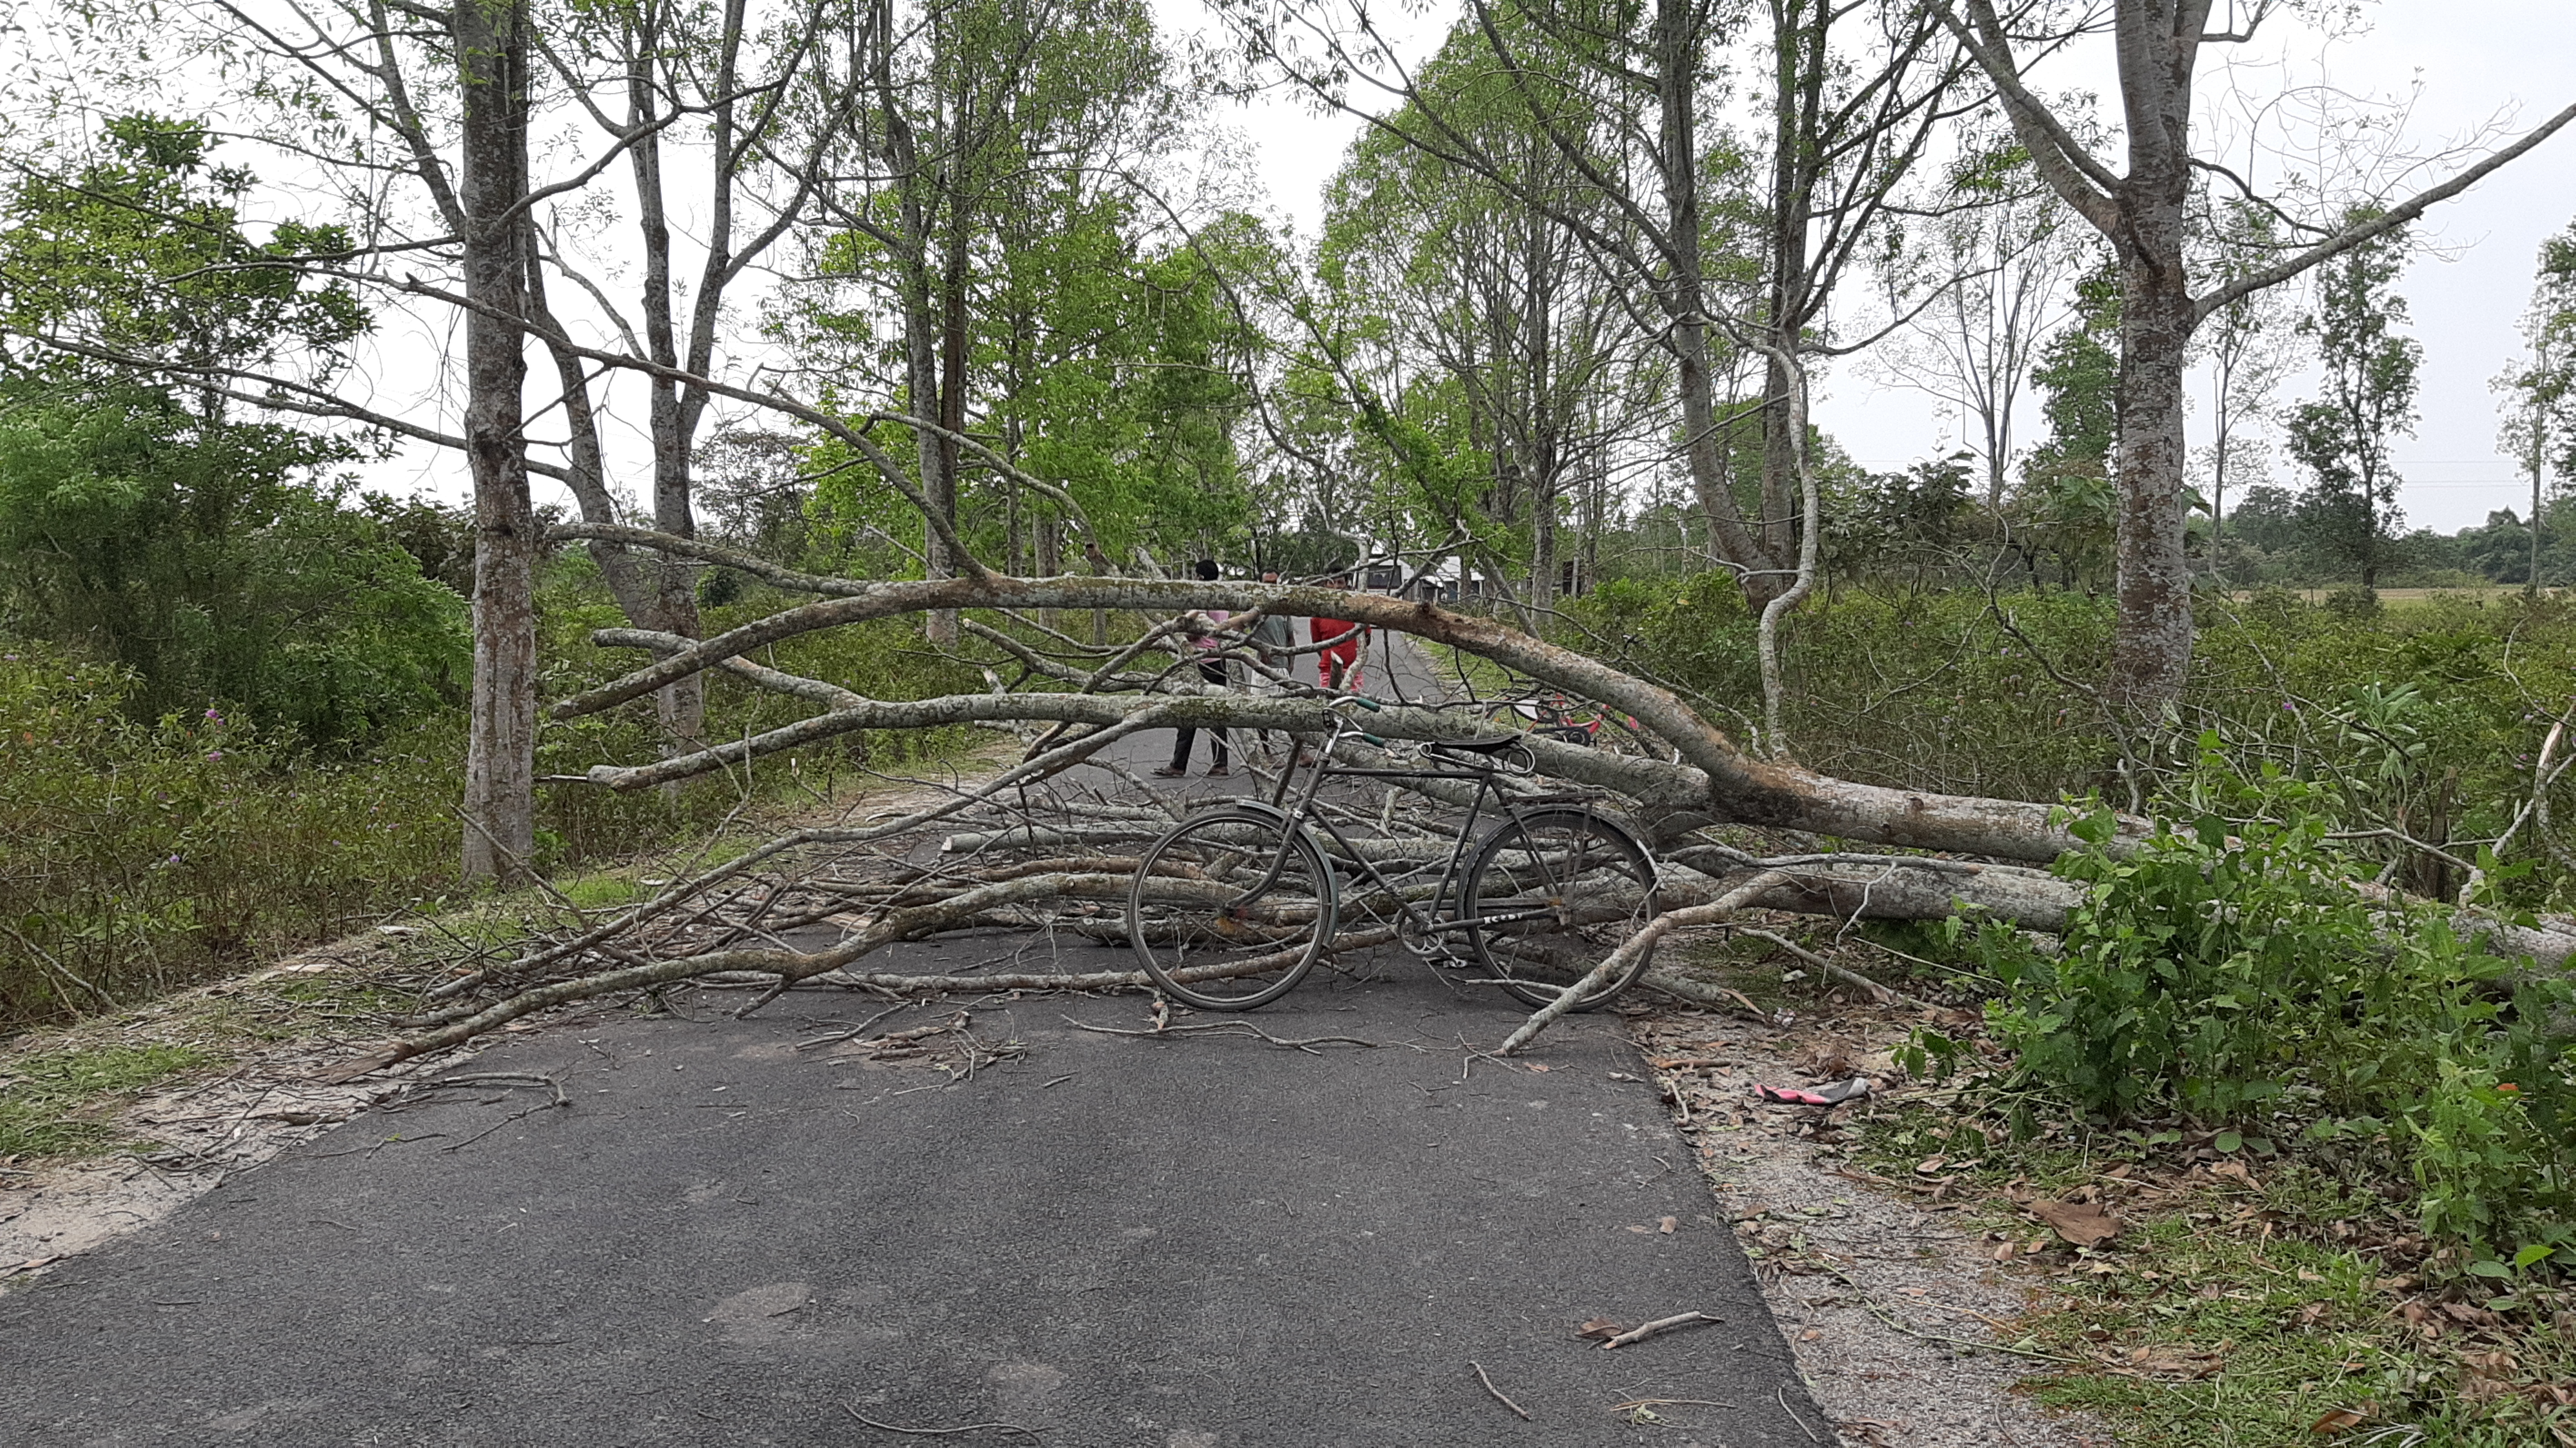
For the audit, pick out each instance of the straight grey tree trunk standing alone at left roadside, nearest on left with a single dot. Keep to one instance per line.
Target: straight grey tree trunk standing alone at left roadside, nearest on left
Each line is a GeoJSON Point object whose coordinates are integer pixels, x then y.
{"type": "Point", "coordinates": [501, 743]}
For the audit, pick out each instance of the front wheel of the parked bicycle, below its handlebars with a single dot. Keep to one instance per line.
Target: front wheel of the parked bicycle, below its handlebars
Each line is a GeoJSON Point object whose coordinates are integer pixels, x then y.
{"type": "Point", "coordinates": [1230, 911]}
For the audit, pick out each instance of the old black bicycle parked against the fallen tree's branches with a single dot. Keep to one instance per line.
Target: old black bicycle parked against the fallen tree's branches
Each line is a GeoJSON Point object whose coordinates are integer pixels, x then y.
{"type": "Point", "coordinates": [1235, 906]}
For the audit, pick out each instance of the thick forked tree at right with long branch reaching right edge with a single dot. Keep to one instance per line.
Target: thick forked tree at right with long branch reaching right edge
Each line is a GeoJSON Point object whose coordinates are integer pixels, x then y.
{"type": "Point", "coordinates": [2145, 213]}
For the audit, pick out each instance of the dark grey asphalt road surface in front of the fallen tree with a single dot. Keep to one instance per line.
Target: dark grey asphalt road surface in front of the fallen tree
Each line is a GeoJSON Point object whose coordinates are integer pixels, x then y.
{"type": "Point", "coordinates": [1173, 1243]}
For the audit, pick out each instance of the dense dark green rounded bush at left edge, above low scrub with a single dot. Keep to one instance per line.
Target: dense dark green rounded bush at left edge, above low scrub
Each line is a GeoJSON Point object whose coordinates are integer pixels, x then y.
{"type": "Point", "coordinates": [189, 555]}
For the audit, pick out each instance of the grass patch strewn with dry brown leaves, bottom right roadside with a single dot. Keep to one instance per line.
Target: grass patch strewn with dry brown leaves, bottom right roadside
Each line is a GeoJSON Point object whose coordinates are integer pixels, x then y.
{"type": "Point", "coordinates": [2255, 1300]}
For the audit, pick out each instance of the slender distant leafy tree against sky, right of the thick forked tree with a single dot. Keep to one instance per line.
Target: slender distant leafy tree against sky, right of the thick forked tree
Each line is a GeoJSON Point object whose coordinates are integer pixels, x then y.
{"type": "Point", "coordinates": [2369, 401]}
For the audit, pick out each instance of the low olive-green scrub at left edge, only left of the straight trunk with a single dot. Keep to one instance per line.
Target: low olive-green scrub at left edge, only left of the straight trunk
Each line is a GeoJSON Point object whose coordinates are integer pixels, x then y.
{"type": "Point", "coordinates": [140, 854]}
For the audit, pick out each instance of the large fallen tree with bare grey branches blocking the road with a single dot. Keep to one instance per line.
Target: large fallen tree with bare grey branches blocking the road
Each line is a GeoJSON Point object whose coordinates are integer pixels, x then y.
{"type": "Point", "coordinates": [1039, 854]}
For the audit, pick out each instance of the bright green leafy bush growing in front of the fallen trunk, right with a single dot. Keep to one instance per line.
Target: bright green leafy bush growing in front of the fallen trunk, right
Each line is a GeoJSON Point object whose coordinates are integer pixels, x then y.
{"type": "Point", "coordinates": [2240, 973]}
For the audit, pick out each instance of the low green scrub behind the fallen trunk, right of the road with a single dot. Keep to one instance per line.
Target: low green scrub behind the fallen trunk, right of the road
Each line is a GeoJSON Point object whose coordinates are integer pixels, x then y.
{"type": "Point", "coordinates": [2425, 718]}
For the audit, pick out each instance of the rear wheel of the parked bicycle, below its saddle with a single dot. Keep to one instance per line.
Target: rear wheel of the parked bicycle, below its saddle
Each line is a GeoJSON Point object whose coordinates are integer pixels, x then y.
{"type": "Point", "coordinates": [1552, 895]}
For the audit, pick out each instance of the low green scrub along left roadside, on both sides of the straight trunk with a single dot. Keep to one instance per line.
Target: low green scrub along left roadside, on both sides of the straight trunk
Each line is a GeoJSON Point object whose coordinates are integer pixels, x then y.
{"type": "Point", "coordinates": [138, 857]}
